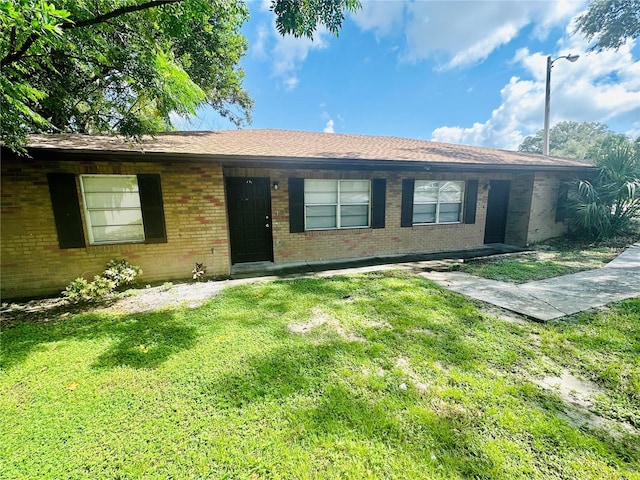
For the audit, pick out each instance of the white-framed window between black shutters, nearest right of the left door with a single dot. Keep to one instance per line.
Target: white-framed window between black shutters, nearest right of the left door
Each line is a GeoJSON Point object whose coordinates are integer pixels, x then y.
{"type": "Point", "coordinates": [336, 204]}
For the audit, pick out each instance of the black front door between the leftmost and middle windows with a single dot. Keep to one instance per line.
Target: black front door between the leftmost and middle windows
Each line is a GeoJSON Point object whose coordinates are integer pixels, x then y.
{"type": "Point", "coordinates": [249, 207]}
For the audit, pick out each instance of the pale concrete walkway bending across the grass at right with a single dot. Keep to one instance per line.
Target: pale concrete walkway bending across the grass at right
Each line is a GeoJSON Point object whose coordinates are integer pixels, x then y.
{"type": "Point", "coordinates": [554, 297]}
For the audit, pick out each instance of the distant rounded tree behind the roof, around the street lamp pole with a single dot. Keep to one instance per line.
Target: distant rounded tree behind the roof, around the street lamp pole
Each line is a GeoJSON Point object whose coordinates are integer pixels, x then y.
{"type": "Point", "coordinates": [567, 139]}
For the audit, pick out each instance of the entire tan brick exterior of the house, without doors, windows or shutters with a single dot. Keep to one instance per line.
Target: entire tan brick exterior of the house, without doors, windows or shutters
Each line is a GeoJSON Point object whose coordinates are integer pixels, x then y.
{"type": "Point", "coordinates": [197, 227]}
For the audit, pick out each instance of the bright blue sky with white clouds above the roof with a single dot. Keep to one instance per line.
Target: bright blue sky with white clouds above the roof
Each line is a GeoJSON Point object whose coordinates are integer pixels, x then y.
{"type": "Point", "coordinates": [468, 72]}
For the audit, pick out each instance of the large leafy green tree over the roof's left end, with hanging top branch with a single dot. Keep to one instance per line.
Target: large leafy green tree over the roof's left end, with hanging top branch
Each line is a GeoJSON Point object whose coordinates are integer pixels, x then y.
{"type": "Point", "coordinates": [105, 66]}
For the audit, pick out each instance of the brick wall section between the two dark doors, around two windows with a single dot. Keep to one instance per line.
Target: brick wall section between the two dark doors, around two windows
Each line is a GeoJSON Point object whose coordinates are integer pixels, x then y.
{"type": "Point", "coordinates": [348, 243]}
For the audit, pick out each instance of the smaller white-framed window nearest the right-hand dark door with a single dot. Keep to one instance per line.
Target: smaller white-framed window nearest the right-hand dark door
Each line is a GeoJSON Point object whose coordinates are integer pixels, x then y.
{"type": "Point", "coordinates": [437, 202]}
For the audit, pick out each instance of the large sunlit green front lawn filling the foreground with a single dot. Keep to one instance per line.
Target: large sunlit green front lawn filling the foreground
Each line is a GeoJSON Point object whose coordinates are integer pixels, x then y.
{"type": "Point", "coordinates": [228, 391]}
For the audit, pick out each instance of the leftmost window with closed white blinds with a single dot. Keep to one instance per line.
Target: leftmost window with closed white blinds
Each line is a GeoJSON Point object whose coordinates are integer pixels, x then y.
{"type": "Point", "coordinates": [112, 208]}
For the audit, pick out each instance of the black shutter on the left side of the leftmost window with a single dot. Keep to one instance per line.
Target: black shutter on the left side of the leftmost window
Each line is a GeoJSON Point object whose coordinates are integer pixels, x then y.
{"type": "Point", "coordinates": [66, 209]}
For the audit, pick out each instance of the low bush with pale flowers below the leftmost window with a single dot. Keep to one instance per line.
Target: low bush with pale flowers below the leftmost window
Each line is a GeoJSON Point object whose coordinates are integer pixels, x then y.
{"type": "Point", "coordinates": [117, 274]}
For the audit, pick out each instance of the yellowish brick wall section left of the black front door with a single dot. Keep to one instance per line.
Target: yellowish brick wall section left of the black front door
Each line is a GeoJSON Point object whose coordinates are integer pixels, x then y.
{"type": "Point", "coordinates": [33, 264]}
